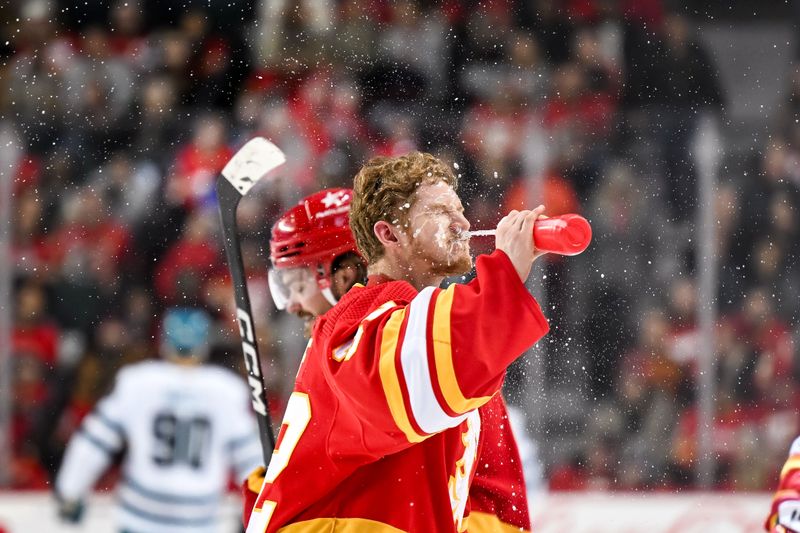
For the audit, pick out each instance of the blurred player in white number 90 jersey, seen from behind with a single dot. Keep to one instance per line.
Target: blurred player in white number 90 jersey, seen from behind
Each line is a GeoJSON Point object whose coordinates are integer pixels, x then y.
{"type": "Point", "coordinates": [183, 427]}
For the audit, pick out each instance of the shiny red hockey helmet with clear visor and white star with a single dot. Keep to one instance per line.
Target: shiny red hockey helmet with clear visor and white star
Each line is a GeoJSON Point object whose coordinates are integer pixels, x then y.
{"type": "Point", "coordinates": [311, 235]}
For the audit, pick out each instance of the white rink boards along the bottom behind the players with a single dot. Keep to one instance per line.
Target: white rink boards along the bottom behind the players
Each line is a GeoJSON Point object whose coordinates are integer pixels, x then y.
{"type": "Point", "coordinates": [577, 512]}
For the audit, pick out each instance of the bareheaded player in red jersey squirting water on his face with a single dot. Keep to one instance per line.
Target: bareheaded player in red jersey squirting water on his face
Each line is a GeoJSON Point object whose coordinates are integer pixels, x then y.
{"type": "Point", "coordinates": [382, 430]}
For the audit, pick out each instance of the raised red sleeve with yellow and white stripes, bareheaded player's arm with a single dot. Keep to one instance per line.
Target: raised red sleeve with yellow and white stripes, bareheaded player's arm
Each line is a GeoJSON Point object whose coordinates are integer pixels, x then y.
{"type": "Point", "coordinates": [413, 370]}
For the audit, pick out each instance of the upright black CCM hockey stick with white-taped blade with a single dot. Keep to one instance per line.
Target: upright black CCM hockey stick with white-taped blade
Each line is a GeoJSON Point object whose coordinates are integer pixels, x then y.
{"type": "Point", "coordinates": [251, 163]}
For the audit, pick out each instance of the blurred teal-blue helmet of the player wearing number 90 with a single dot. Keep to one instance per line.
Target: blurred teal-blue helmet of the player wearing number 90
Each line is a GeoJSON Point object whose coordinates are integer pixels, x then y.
{"type": "Point", "coordinates": [185, 332]}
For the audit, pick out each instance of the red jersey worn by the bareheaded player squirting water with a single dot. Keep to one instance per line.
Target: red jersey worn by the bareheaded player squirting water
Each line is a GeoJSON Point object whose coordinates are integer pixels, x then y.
{"type": "Point", "coordinates": [382, 430]}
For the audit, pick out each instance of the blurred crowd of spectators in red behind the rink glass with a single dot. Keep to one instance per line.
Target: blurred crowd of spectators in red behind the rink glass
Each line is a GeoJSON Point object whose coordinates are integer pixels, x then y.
{"type": "Point", "coordinates": [116, 119]}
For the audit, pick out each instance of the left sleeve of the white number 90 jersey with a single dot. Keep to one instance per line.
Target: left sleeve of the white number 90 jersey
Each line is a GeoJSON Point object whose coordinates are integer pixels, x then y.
{"type": "Point", "coordinates": [91, 449]}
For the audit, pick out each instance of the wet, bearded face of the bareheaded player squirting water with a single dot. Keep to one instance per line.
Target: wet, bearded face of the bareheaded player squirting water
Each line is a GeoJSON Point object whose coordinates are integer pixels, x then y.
{"type": "Point", "coordinates": [436, 233]}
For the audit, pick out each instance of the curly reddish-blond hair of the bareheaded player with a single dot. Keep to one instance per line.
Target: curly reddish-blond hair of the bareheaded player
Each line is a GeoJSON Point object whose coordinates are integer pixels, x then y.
{"type": "Point", "coordinates": [382, 186]}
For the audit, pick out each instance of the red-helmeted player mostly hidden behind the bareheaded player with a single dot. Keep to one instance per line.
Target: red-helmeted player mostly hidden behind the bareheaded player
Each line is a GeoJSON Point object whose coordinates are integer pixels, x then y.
{"type": "Point", "coordinates": [315, 261]}
